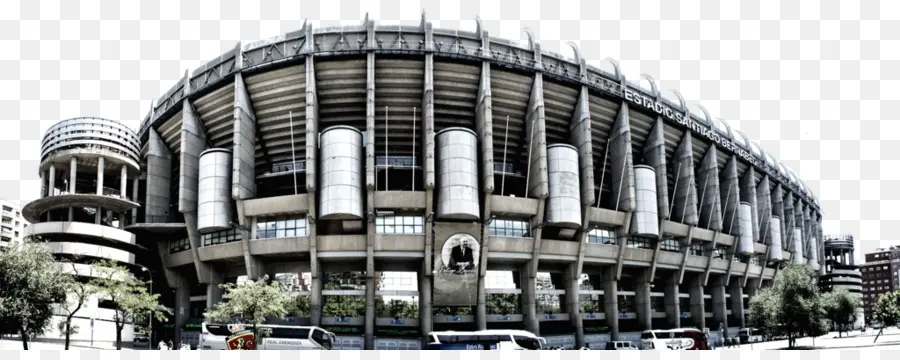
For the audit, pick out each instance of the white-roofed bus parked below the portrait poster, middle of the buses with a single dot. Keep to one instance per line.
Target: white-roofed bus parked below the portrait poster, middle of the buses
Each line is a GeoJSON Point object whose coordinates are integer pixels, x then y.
{"type": "Point", "coordinates": [484, 340]}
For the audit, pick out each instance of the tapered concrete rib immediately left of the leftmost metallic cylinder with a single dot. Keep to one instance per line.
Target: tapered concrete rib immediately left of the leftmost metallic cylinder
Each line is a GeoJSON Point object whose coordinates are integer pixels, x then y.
{"type": "Point", "coordinates": [193, 142]}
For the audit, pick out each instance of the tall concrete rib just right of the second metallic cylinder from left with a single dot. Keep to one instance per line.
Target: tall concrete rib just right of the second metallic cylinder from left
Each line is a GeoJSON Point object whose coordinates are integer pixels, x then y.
{"type": "Point", "coordinates": [370, 185]}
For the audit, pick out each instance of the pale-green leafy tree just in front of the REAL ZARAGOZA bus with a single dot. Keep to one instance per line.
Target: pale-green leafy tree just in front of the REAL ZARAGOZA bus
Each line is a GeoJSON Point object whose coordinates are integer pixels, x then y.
{"type": "Point", "coordinates": [254, 302]}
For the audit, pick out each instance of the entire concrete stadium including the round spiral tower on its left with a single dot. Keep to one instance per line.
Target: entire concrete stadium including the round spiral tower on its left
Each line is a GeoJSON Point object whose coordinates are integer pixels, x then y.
{"type": "Point", "coordinates": [448, 153]}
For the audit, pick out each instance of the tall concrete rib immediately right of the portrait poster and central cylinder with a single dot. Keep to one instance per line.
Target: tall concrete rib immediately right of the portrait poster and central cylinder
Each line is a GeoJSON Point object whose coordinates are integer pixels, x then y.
{"type": "Point", "coordinates": [483, 128]}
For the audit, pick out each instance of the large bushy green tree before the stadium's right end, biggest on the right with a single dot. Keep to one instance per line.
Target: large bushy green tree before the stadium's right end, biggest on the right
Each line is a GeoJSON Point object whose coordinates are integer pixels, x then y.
{"type": "Point", "coordinates": [791, 306]}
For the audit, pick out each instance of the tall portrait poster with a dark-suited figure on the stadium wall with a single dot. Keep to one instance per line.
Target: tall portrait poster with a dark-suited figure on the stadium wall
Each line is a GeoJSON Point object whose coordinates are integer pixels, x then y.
{"type": "Point", "coordinates": [456, 271]}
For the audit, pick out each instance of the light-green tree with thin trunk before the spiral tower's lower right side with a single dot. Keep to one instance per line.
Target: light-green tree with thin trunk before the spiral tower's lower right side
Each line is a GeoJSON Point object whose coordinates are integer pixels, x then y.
{"type": "Point", "coordinates": [128, 294]}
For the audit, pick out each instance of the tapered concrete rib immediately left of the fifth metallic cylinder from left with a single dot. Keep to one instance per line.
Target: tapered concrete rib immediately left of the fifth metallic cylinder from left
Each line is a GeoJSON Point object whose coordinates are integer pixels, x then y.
{"type": "Point", "coordinates": [622, 176]}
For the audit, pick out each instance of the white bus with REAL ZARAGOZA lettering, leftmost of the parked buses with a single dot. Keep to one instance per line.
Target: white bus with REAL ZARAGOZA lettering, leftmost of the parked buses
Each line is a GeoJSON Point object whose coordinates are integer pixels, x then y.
{"type": "Point", "coordinates": [282, 337]}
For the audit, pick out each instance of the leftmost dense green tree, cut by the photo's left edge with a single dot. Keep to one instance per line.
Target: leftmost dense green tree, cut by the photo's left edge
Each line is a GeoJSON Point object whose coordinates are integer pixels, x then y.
{"type": "Point", "coordinates": [31, 282]}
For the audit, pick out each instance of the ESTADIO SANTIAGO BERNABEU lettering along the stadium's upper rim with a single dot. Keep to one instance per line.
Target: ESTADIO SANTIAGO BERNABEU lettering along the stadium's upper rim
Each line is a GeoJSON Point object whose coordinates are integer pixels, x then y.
{"type": "Point", "coordinates": [679, 117]}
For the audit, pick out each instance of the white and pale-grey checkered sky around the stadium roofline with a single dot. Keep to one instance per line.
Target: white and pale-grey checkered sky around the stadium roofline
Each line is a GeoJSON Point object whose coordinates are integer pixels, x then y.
{"type": "Point", "coordinates": [88, 65]}
